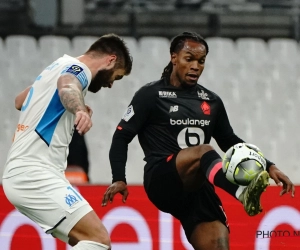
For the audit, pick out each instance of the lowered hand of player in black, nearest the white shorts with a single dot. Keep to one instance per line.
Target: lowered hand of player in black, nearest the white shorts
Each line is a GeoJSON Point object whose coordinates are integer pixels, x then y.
{"type": "Point", "coordinates": [112, 190]}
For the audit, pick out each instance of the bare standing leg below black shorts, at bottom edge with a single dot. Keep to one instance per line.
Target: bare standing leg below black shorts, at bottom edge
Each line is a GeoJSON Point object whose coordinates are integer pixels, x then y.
{"type": "Point", "coordinates": [210, 236]}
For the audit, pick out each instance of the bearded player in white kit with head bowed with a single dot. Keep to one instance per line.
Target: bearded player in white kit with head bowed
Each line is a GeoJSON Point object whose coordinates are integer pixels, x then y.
{"type": "Point", "coordinates": [51, 109]}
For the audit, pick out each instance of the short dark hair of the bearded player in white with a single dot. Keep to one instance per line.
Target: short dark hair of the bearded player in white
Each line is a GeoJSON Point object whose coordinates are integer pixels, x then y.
{"type": "Point", "coordinates": [112, 44]}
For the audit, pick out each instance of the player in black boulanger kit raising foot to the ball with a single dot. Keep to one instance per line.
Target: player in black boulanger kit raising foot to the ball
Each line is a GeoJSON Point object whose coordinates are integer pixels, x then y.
{"type": "Point", "coordinates": [175, 119]}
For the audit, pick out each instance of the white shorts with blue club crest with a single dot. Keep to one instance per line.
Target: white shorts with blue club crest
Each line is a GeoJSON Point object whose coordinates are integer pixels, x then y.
{"type": "Point", "coordinates": [47, 198]}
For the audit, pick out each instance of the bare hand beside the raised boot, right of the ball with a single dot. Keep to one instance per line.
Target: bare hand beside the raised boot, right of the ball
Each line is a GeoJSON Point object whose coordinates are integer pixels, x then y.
{"type": "Point", "coordinates": [281, 179]}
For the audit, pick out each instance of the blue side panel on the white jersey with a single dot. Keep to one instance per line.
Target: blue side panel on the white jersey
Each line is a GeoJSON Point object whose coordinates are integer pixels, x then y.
{"type": "Point", "coordinates": [48, 123]}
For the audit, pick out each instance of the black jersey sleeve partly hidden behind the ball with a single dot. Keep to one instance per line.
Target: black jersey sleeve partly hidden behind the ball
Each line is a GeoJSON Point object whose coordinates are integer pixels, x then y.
{"type": "Point", "coordinates": [224, 135]}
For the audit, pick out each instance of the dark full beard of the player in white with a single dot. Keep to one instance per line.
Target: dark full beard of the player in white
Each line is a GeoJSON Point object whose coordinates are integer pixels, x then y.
{"type": "Point", "coordinates": [103, 78]}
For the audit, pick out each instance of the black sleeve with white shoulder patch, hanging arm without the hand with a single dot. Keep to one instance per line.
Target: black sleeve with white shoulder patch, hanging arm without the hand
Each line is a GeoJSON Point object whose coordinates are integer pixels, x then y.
{"type": "Point", "coordinates": [133, 120]}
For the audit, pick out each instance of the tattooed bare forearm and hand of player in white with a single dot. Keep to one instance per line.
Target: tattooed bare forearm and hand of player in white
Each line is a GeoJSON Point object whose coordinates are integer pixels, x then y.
{"type": "Point", "coordinates": [70, 93]}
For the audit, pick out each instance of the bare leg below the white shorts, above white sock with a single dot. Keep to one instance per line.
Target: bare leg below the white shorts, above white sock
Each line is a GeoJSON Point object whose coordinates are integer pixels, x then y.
{"type": "Point", "coordinates": [89, 227]}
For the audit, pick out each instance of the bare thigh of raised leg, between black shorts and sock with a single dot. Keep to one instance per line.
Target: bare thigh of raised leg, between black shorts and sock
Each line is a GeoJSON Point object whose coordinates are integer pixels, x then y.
{"type": "Point", "coordinates": [188, 163]}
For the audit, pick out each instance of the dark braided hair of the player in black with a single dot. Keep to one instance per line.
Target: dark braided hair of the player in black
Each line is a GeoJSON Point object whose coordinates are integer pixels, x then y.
{"type": "Point", "coordinates": [177, 44]}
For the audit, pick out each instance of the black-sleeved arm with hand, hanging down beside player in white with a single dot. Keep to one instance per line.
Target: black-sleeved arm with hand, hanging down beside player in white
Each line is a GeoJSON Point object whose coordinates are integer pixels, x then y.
{"type": "Point", "coordinates": [133, 120]}
